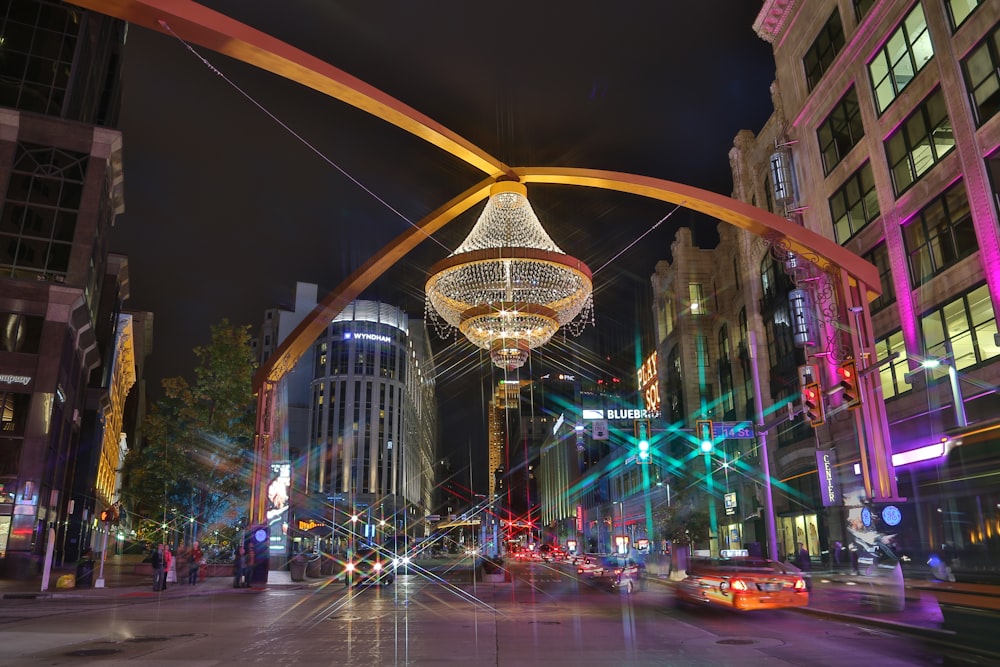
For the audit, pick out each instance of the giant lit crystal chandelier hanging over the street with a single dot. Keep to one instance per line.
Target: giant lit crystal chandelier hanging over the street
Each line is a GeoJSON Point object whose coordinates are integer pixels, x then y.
{"type": "Point", "coordinates": [508, 287]}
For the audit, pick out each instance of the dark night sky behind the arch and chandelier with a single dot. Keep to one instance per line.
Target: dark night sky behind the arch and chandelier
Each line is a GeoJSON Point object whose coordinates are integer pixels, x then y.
{"type": "Point", "coordinates": [225, 210]}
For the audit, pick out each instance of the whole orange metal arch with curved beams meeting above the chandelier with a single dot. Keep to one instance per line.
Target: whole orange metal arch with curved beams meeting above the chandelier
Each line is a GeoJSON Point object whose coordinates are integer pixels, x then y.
{"type": "Point", "coordinates": [200, 25]}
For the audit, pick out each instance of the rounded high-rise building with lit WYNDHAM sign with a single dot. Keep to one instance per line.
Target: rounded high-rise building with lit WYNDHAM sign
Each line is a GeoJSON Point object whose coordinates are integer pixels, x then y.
{"type": "Point", "coordinates": [361, 467]}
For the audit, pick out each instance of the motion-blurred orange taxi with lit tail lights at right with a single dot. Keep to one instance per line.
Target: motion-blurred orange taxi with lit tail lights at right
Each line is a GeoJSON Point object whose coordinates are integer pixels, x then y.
{"type": "Point", "coordinates": [742, 584]}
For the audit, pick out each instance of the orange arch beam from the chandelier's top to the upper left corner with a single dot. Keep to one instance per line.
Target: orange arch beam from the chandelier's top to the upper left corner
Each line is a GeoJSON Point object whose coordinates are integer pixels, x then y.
{"type": "Point", "coordinates": [200, 25]}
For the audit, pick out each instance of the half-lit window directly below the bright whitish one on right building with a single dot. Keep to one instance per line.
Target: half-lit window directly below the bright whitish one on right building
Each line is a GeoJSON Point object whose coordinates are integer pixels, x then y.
{"type": "Point", "coordinates": [923, 139]}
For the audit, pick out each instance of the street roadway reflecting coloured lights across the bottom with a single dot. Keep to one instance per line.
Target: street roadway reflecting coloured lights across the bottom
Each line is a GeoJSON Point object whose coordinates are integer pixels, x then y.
{"type": "Point", "coordinates": [544, 616]}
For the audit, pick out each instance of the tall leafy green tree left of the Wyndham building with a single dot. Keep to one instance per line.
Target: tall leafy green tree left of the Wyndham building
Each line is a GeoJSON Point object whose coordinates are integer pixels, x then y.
{"type": "Point", "coordinates": [193, 469]}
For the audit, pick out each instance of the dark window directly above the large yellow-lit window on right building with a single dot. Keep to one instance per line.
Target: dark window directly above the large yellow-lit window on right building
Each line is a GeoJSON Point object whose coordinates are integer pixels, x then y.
{"type": "Point", "coordinates": [939, 235]}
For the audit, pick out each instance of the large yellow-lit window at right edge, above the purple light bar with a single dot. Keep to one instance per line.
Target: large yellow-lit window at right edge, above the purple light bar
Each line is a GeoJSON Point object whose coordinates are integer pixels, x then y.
{"type": "Point", "coordinates": [968, 324]}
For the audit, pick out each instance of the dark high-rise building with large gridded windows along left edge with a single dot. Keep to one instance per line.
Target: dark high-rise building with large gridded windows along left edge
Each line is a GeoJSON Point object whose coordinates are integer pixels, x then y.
{"type": "Point", "coordinates": [61, 188]}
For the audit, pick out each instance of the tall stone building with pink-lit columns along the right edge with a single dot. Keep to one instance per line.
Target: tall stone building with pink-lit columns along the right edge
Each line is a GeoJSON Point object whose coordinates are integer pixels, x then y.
{"type": "Point", "coordinates": [885, 138]}
